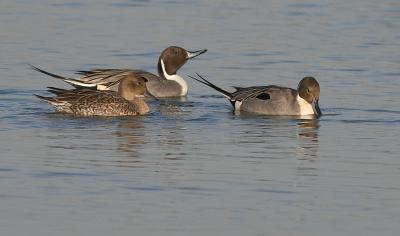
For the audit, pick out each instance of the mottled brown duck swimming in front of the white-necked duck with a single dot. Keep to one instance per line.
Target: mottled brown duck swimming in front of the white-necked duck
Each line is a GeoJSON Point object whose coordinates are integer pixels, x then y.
{"type": "Point", "coordinates": [89, 102]}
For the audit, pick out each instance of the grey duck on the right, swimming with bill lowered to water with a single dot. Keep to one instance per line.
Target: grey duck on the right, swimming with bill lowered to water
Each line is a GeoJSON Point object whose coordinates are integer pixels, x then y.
{"type": "Point", "coordinates": [274, 100]}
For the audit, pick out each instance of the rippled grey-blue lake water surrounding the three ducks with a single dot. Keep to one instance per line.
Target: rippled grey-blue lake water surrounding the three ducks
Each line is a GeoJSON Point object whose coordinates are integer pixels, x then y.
{"type": "Point", "coordinates": [193, 167]}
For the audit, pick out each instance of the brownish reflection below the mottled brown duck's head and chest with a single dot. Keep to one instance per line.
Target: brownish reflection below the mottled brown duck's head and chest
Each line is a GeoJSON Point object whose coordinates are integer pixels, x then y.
{"type": "Point", "coordinates": [131, 136]}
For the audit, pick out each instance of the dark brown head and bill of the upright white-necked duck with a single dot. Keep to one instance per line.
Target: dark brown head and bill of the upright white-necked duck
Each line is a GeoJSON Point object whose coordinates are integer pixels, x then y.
{"type": "Point", "coordinates": [173, 58]}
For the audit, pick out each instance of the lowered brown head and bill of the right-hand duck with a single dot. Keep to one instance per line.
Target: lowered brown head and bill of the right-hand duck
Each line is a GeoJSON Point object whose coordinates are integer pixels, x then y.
{"type": "Point", "coordinates": [309, 90]}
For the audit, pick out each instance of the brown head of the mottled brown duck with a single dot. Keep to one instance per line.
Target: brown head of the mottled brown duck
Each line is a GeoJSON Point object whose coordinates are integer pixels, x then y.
{"type": "Point", "coordinates": [132, 87]}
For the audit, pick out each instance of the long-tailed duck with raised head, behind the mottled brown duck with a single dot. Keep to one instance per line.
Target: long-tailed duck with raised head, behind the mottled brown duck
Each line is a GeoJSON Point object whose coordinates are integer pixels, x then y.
{"type": "Point", "coordinates": [167, 84]}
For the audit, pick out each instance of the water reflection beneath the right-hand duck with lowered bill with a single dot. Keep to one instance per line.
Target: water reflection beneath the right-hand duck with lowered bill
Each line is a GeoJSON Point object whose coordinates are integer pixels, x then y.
{"type": "Point", "coordinates": [271, 137]}
